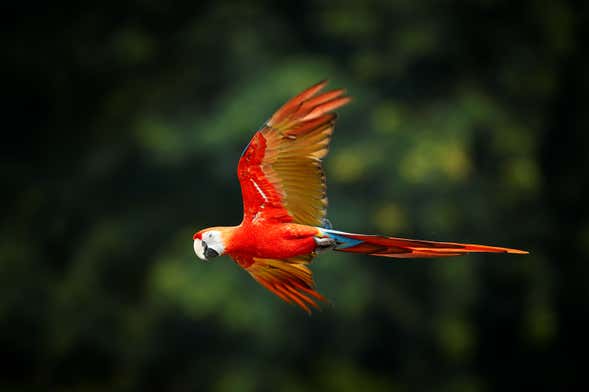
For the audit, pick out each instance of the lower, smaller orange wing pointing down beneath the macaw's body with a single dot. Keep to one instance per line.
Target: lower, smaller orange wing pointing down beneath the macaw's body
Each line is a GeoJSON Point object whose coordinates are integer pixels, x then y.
{"type": "Point", "coordinates": [289, 279]}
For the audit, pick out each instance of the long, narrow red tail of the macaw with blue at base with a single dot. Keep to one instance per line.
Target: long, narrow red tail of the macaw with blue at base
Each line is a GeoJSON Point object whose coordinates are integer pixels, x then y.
{"type": "Point", "coordinates": [376, 245]}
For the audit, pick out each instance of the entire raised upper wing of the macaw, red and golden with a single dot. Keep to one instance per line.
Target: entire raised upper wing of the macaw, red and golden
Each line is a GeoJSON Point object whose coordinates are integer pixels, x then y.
{"type": "Point", "coordinates": [280, 170]}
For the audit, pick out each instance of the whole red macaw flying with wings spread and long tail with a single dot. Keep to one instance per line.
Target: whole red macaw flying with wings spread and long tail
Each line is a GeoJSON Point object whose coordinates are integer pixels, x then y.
{"type": "Point", "coordinates": [284, 205]}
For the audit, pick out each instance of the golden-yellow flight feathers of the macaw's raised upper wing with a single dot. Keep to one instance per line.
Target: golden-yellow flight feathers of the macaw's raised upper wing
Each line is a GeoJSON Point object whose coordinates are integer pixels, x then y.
{"type": "Point", "coordinates": [297, 138]}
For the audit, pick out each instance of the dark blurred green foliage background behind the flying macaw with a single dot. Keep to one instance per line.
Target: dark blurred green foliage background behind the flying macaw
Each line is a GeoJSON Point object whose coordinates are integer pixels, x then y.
{"type": "Point", "coordinates": [121, 136]}
